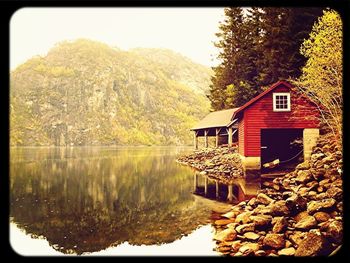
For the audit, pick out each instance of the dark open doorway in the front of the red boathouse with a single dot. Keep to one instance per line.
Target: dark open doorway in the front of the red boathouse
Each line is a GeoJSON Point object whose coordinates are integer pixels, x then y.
{"type": "Point", "coordinates": [282, 148]}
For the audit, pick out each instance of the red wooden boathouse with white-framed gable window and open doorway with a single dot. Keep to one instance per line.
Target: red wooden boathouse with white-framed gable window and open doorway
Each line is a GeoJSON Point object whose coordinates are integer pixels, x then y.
{"type": "Point", "coordinates": [277, 124]}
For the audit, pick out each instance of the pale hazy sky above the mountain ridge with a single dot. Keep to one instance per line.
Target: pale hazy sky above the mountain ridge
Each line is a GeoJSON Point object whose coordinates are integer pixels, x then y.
{"type": "Point", "coordinates": [190, 31]}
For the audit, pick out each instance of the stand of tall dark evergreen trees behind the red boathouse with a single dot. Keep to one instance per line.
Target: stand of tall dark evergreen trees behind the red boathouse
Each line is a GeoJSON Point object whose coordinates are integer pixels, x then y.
{"type": "Point", "coordinates": [259, 46]}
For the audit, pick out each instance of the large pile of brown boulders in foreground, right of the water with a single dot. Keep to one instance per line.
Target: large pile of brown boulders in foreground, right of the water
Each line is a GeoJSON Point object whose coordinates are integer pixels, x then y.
{"type": "Point", "coordinates": [299, 214]}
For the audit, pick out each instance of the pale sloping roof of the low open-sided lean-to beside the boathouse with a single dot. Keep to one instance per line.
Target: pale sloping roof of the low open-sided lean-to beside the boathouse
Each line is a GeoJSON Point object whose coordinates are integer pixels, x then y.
{"type": "Point", "coordinates": [214, 119]}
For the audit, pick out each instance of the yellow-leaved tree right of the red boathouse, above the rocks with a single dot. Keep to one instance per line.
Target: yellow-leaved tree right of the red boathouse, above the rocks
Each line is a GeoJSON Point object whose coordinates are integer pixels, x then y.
{"type": "Point", "coordinates": [322, 76]}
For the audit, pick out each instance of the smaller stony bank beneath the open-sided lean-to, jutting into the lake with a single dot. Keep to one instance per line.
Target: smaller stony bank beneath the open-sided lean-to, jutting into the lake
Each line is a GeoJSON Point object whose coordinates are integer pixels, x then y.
{"type": "Point", "coordinates": [221, 163]}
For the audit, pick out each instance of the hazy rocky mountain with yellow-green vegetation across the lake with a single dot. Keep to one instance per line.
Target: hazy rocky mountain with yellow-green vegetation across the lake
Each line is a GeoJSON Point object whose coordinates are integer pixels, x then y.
{"type": "Point", "coordinates": [87, 93]}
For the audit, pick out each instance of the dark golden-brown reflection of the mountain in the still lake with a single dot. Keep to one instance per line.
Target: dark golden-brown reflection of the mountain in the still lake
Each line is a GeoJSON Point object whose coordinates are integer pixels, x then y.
{"type": "Point", "coordinates": [87, 199]}
